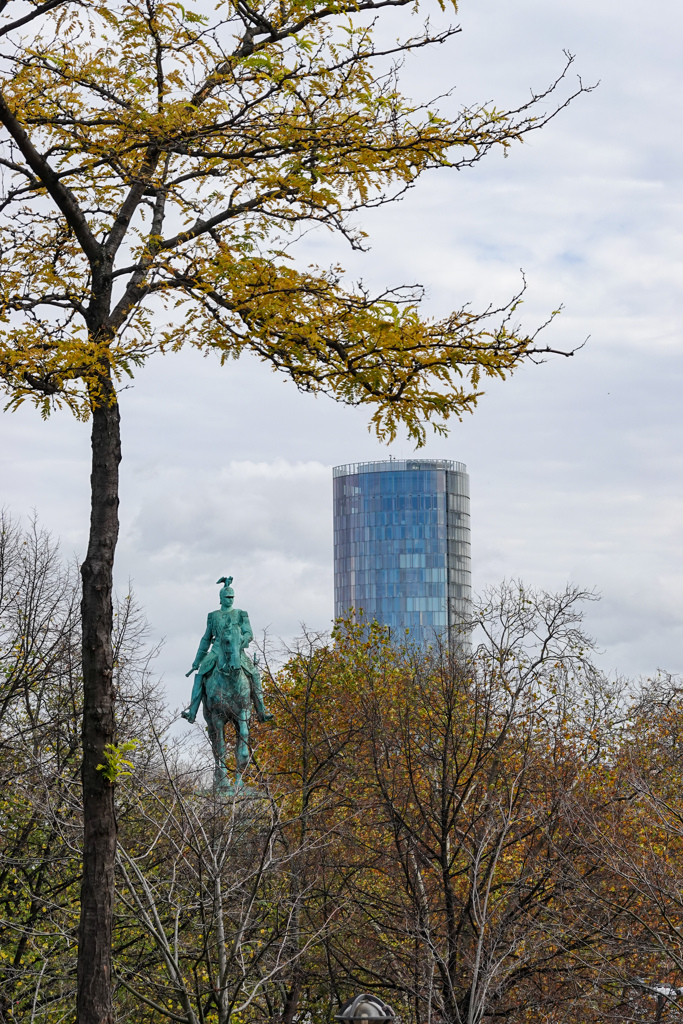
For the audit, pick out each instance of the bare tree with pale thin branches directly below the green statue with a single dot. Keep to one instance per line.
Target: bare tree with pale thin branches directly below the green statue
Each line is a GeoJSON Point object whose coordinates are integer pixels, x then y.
{"type": "Point", "coordinates": [209, 901]}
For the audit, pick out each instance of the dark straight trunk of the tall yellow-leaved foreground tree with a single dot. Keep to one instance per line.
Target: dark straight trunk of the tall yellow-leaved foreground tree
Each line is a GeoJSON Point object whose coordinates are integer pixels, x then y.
{"type": "Point", "coordinates": [95, 936]}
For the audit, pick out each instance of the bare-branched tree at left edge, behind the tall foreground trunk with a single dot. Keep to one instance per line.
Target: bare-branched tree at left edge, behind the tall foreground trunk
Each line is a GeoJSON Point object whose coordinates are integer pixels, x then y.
{"type": "Point", "coordinates": [40, 758]}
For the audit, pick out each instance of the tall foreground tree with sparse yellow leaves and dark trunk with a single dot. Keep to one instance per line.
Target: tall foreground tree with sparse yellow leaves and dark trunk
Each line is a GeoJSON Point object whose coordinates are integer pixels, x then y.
{"type": "Point", "coordinates": [157, 160]}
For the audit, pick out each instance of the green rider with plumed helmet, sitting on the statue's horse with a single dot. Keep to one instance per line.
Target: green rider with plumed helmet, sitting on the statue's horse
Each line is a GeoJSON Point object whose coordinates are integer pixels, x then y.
{"type": "Point", "coordinates": [228, 633]}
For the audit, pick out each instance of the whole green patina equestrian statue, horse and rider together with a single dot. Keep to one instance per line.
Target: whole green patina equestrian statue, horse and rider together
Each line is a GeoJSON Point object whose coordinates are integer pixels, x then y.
{"type": "Point", "coordinates": [227, 684]}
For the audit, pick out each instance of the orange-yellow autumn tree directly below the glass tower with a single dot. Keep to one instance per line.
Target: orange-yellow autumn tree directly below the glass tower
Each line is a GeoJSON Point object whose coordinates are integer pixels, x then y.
{"type": "Point", "coordinates": [441, 794]}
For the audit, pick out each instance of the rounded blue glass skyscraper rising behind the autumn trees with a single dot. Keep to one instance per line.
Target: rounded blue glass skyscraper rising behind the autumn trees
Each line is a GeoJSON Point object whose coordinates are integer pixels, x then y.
{"type": "Point", "coordinates": [403, 544]}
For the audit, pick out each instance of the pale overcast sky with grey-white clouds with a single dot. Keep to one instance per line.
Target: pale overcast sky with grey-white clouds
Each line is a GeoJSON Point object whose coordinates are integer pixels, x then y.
{"type": "Point", "coordinates": [575, 466]}
